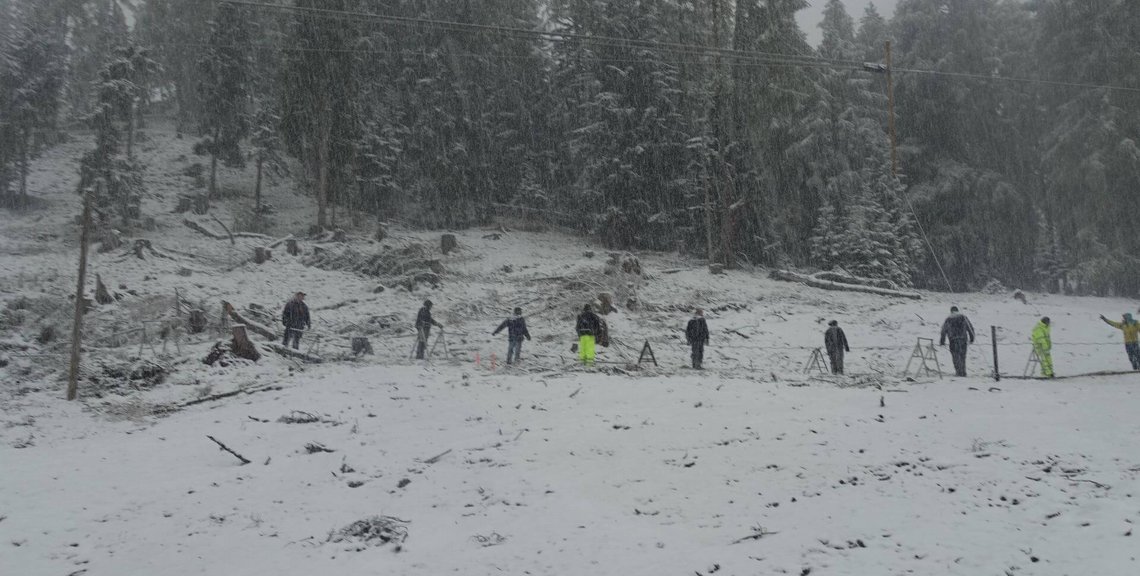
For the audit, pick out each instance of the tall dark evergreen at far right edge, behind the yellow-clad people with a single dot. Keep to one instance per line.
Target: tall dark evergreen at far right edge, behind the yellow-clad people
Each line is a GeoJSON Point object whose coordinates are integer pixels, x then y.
{"type": "Point", "coordinates": [1092, 158]}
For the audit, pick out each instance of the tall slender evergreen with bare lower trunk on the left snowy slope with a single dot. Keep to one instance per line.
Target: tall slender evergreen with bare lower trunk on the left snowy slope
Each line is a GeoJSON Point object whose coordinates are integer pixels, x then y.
{"type": "Point", "coordinates": [225, 92]}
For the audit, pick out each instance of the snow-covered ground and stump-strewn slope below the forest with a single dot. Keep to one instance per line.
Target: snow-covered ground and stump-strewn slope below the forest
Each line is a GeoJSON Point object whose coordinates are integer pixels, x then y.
{"type": "Point", "coordinates": [752, 467]}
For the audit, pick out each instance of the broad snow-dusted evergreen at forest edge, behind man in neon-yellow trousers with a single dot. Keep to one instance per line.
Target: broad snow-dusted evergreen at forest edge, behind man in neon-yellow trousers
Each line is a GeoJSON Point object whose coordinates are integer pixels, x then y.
{"type": "Point", "coordinates": [628, 129]}
